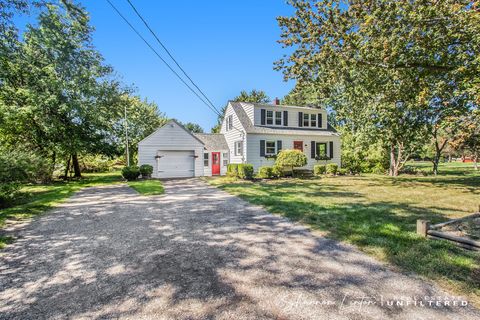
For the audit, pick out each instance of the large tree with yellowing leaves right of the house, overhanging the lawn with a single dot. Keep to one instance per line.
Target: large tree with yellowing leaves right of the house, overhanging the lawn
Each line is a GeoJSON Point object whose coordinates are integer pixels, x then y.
{"type": "Point", "coordinates": [384, 64]}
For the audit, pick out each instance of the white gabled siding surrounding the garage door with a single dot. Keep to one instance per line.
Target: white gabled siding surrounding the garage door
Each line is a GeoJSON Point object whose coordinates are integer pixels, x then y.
{"type": "Point", "coordinates": [170, 137]}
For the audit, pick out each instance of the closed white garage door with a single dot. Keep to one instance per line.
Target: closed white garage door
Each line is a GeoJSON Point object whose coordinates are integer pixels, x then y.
{"type": "Point", "coordinates": [176, 164]}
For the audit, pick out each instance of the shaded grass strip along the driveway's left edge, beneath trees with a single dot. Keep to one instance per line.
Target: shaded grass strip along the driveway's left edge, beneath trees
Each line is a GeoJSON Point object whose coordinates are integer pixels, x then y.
{"type": "Point", "coordinates": [36, 199]}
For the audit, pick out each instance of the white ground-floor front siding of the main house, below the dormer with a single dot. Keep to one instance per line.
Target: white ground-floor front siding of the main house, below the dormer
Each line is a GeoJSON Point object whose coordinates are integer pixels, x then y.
{"type": "Point", "coordinates": [253, 148]}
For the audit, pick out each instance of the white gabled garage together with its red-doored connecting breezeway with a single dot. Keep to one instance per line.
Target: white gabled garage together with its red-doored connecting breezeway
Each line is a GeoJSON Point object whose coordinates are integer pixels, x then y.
{"type": "Point", "coordinates": [174, 152]}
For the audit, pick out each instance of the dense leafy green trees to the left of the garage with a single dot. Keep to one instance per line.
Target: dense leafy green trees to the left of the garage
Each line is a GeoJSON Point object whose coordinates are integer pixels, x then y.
{"type": "Point", "coordinates": [58, 98]}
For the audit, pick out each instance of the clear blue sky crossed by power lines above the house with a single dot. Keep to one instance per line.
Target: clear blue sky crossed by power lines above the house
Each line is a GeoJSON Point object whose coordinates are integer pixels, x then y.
{"type": "Point", "coordinates": [225, 46]}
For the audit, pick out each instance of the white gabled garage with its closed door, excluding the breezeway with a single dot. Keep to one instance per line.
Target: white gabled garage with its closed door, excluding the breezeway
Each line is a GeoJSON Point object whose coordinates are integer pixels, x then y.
{"type": "Point", "coordinates": [173, 152]}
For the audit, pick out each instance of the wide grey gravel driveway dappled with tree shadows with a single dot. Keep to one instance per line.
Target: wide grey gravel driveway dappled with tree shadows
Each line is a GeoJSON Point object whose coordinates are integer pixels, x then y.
{"type": "Point", "coordinates": [196, 253]}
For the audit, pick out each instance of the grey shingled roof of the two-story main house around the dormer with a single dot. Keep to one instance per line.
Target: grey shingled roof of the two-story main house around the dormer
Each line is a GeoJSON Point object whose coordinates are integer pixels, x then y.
{"type": "Point", "coordinates": [250, 128]}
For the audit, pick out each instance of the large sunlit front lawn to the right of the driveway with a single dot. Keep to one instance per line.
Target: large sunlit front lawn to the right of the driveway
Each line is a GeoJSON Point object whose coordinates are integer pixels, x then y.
{"type": "Point", "coordinates": [378, 214]}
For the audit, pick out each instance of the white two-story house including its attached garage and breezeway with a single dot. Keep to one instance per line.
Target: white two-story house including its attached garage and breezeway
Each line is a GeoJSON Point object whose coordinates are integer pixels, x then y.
{"type": "Point", "coordinates": [250, 133]}
